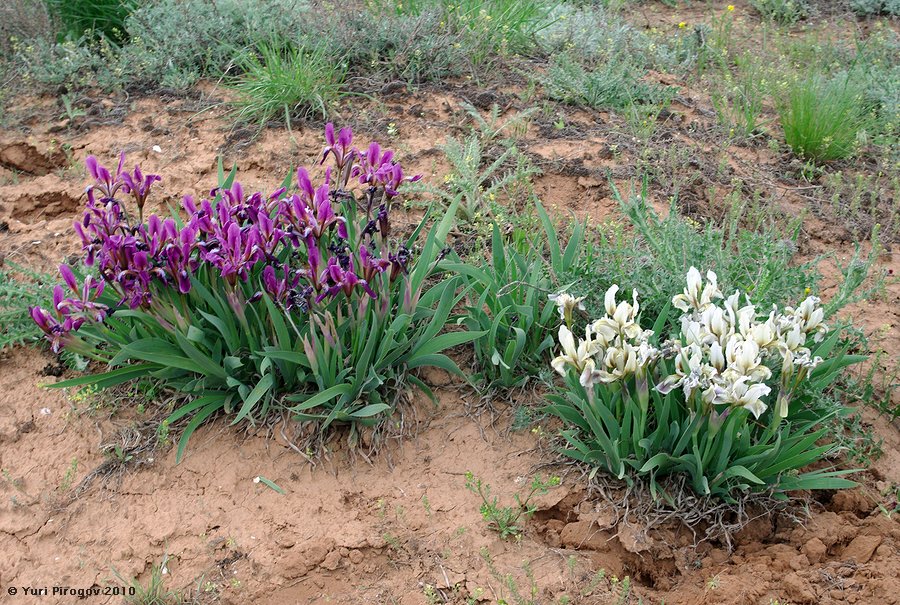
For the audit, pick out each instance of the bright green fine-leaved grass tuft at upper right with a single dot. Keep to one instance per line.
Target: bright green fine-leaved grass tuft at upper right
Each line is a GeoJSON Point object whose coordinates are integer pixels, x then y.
{"type": "Point", "coordinates": [822, 117]}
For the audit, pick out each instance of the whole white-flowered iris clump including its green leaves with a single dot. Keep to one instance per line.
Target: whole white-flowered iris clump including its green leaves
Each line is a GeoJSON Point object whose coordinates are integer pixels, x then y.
{"type": "Point", "coordinates": [730, 401]}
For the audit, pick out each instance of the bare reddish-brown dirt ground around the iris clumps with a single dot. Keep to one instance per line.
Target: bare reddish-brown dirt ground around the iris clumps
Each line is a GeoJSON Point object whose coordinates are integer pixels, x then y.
{"type": "Point", "coordinates": [401, 527]}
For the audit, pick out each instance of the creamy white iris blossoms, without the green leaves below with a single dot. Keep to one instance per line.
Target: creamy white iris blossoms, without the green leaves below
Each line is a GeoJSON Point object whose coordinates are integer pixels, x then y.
{"type": "Point", "coordinates": [724, 354]}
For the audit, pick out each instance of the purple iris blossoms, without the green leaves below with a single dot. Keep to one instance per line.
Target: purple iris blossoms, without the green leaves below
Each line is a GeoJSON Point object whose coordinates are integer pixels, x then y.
{"type": "Point", "coordinates": [298, 247]}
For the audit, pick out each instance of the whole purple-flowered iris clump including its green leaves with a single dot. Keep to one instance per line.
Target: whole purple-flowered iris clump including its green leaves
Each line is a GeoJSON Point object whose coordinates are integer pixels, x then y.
{"type": "Point", "coordinates": [305, 299]}
